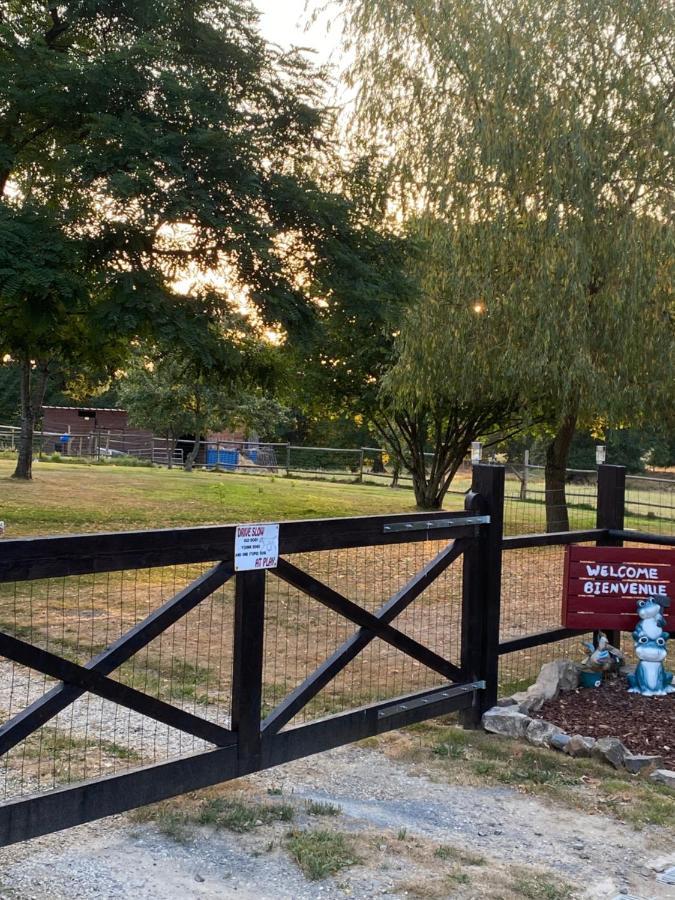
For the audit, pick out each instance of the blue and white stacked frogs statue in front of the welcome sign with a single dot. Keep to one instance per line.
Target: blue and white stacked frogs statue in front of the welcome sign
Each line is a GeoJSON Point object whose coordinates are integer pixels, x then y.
{"type": "Point", "coordinates": [650, 678]}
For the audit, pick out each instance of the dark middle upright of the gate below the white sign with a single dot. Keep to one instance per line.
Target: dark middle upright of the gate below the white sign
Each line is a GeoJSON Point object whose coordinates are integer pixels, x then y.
{"type": "Point", "coordinates": [247, 666]}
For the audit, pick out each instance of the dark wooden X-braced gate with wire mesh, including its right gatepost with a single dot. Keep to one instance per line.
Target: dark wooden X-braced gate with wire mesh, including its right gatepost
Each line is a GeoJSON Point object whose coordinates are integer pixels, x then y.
{"type": "Point", "coordinates": [138, 666]}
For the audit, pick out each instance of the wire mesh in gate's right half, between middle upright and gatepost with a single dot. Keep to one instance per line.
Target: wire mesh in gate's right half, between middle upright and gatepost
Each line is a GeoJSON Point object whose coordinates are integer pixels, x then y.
{"type": "Point", "coordinates": [300, 633]}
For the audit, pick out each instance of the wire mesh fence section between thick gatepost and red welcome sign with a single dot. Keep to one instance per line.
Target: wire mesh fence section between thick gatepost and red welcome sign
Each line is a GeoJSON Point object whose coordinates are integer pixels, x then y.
{"type": "Point", "coordinates": [532, 583]}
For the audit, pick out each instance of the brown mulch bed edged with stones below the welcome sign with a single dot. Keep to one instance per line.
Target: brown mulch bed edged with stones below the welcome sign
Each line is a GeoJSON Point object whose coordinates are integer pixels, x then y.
{"type": "Point", "coordinates": [644, 724]}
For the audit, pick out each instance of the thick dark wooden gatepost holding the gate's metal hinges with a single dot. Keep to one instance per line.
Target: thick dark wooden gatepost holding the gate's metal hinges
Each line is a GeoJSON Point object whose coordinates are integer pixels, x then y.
{"type": "Point", "coordinates": [481, 599]}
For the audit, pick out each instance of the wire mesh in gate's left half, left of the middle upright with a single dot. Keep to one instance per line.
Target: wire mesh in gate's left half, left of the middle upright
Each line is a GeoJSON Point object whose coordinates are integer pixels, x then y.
{"type": "Point", "coordinates": [189, 665]}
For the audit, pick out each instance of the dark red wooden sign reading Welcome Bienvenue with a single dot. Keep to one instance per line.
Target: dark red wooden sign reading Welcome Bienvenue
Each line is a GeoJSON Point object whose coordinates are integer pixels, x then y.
{"type": "Point", "coordinates": [604, 584]}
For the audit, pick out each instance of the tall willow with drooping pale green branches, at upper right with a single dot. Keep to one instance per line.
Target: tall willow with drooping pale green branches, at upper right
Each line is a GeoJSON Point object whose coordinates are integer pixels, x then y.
{"type": "Point", "coordinates": [540, 132]}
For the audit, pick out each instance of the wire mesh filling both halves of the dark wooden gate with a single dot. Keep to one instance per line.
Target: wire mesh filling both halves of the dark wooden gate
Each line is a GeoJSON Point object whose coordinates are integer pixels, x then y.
{"type": "Point", "coordinates": [190, 664]}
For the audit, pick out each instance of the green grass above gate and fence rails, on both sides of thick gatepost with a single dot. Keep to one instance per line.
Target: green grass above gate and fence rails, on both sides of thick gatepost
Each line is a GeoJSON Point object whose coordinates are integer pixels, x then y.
{"type": "Point", "coordinates": [81, 498]}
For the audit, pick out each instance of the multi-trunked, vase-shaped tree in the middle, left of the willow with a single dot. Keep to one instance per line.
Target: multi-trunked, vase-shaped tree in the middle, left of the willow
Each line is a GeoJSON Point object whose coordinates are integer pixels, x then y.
{"type": "Point", "coordinates": [363, 367]}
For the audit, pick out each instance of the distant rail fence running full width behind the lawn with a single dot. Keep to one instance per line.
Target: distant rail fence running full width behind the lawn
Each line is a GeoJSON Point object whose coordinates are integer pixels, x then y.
{"type": "Point", "coordinates": [649, 498]}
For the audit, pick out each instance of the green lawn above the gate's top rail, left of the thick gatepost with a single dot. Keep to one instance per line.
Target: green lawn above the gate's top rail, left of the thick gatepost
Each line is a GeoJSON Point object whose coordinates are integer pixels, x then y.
{"type": "Point", "coordinates": [74, 498]}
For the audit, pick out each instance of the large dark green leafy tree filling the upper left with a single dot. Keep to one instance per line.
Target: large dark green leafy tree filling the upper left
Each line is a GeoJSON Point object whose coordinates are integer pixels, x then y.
{"type": "Point", "coordinates": [141, 144]}
